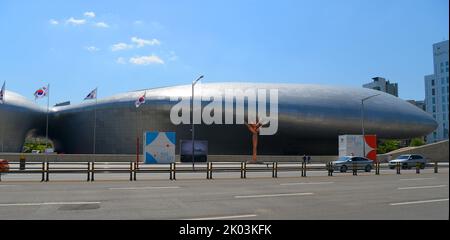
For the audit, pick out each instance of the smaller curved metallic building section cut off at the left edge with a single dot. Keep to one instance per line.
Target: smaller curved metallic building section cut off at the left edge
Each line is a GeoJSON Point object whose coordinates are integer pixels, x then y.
{"type": "Point", "coordinates": [19, 117]}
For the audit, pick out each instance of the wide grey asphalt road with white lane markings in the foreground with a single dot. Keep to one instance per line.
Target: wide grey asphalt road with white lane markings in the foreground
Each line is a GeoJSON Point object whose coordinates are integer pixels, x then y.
{"type": "Point", "coordinates": [191, 196]}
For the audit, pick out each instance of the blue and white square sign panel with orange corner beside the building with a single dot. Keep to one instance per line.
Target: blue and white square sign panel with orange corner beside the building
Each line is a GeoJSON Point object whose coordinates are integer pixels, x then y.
{"type": "Point", "coordinates": [159, 147]}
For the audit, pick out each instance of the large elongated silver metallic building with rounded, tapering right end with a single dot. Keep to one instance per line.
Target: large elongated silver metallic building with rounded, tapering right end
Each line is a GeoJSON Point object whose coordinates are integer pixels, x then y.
{"type": "Point", "coordinates": [310, 118]}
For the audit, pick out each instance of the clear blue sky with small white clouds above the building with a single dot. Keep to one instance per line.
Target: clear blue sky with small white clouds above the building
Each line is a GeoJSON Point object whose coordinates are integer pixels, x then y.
{"type": "Point", "coordinates": [127, 45]}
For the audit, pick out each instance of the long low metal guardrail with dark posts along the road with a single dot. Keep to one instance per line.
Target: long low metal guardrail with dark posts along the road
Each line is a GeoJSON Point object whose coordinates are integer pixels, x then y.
{"type": "Point", "coordinates": [91, 168]}
